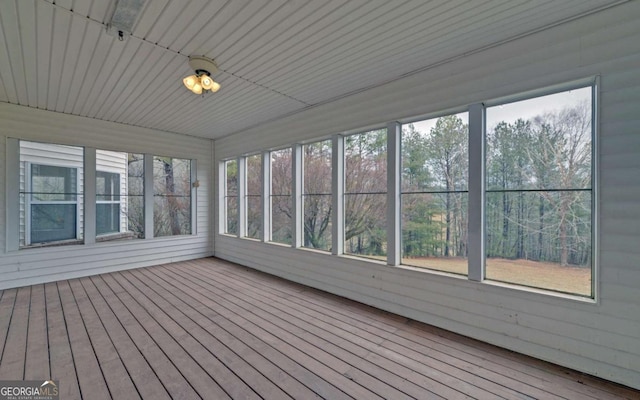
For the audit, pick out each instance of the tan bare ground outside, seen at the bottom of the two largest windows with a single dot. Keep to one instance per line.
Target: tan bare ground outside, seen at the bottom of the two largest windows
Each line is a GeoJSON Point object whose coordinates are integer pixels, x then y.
{"type": "Point", "coordinates": [543, 275]}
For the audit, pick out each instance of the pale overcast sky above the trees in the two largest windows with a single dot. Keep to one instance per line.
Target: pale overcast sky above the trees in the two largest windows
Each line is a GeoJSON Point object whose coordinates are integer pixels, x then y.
{"type": "Point", "coordinates": [521, 109]}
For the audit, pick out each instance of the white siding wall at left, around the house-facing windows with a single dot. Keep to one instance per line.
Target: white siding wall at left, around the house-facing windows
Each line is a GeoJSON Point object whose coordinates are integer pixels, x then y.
{"type": "Point", "coordinates": [28, 266]}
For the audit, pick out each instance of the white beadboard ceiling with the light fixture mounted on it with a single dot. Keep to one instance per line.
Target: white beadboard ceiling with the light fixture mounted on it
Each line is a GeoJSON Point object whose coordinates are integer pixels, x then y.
{"type": "Point", "coordinates": [276, 57]}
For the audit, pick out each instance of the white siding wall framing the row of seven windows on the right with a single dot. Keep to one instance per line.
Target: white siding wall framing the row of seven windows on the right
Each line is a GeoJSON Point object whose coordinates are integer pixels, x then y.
{"type": "Point", "coordinates": [601, 338]}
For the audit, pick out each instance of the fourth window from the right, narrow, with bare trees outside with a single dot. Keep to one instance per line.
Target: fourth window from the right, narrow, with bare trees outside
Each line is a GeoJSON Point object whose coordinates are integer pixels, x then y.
{"type": "Point", "coordinates": [316, 195]}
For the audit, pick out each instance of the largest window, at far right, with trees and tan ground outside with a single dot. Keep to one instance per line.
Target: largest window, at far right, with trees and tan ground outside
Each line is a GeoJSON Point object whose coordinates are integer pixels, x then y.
{"type": "Point", "coordinates": [539, 192]}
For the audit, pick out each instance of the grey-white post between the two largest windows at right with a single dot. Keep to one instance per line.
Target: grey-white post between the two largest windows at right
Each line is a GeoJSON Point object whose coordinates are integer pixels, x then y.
{"type": "Point", "coordinates": [476, 192]}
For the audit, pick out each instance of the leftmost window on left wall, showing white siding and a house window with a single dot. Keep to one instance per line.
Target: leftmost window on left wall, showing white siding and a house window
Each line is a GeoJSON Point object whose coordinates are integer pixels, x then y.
{"type": "Point", "coordinates": [50, 193]}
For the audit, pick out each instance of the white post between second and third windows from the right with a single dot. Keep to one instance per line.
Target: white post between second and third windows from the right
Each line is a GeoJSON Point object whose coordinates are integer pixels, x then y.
{"type": "Point", "coordinates": [394, 235]}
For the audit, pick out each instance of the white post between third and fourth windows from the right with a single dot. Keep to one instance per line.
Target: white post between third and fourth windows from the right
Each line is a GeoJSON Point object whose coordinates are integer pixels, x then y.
{"type": "Point", "coordinates": [337, 198]}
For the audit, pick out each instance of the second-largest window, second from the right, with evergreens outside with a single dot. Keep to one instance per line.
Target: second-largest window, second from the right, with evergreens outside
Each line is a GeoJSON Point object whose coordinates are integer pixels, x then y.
{"type": "Point", "coordinates": [434, 193]}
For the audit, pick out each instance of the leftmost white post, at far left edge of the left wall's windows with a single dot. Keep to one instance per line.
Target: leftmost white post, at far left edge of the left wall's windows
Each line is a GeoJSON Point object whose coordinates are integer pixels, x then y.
{"type": "Point", "coordinates": [12, 176]}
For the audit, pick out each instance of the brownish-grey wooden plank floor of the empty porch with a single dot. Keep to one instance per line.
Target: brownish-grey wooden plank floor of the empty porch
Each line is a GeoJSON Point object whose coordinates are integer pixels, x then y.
{"type": "Point", "coordinates": [214, 330]}
